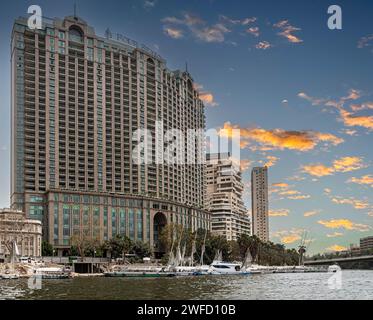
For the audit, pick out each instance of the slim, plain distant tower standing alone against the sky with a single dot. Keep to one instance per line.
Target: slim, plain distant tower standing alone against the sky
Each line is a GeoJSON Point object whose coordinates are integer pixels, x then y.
{"type": "Point", "coordinates": [259, 200]}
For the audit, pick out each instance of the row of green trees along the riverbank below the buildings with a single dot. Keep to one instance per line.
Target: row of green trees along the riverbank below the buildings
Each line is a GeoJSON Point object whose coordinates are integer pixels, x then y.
{"type": "Point", "coordinates": [174, 237]}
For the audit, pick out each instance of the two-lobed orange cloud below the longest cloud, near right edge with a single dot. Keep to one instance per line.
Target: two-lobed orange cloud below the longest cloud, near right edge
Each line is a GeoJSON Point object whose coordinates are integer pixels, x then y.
{"type": "Point", "coordinates": [345, 164]}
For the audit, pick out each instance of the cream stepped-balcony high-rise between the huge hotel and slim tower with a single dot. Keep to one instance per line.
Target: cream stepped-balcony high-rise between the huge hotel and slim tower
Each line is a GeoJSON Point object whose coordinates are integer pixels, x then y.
{"type": "Point", "coordinates": [229, 216]}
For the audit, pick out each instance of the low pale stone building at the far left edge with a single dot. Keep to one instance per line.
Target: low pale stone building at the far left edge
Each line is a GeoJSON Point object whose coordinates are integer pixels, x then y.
{"type": "Point", "coordinates": [25, 232]}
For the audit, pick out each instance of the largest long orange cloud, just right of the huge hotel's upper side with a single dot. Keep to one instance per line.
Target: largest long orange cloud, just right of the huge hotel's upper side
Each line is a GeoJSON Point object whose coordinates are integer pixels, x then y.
{"type": "Point", "coordinates": [279, 139]}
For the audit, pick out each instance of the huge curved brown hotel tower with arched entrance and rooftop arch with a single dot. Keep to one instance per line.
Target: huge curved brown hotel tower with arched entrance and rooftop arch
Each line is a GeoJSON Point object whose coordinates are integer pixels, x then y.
{"type": "Point", "coordinates": [76, 100]}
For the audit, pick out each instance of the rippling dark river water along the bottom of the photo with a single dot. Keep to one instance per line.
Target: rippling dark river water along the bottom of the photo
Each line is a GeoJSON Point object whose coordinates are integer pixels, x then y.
{"type": "Point", "coordinates": [314, 286]}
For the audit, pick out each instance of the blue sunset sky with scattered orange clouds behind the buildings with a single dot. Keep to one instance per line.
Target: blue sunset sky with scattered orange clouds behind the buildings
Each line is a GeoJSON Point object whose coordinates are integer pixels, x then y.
{"type": "Point", "coordinates": [300, 93]}
